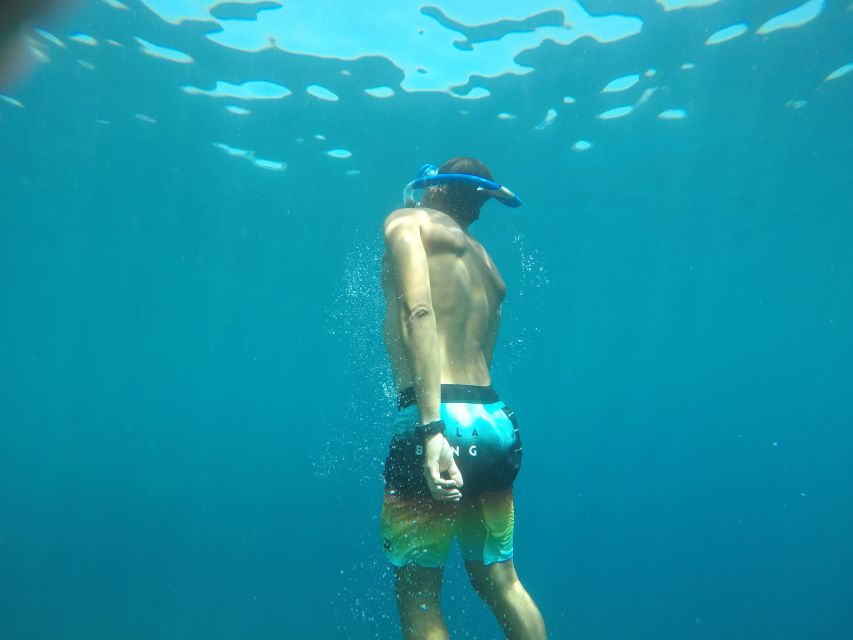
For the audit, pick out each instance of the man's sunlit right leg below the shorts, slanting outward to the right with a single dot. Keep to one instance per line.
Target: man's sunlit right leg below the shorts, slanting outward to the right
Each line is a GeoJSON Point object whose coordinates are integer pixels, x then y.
{"type": "Point", "coordinates": [500, 588]}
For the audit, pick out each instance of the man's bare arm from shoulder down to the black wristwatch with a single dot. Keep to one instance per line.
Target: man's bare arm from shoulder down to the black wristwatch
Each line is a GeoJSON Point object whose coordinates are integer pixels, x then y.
{"type": "Point", "coordinates": [417, 318]}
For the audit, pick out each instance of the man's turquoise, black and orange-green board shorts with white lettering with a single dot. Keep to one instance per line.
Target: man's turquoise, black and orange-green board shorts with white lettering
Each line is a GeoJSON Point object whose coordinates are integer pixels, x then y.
{"type": "Point", "coordinates": [486, 442]}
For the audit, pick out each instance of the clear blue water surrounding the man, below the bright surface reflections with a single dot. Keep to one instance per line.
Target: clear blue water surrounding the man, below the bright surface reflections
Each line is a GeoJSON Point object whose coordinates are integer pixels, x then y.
{"type": "Point", "coordinates": [194, 399]}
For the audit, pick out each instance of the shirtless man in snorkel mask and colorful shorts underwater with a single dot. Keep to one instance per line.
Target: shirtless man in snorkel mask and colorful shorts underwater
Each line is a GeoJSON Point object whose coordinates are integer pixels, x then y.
{"type": "Point", "coordinates": [456, 448]}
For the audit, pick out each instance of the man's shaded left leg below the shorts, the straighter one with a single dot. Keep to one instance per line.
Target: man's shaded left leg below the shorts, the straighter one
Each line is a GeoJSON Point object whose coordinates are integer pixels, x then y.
{"type": "Point", "coordinates": [419, 601]}
